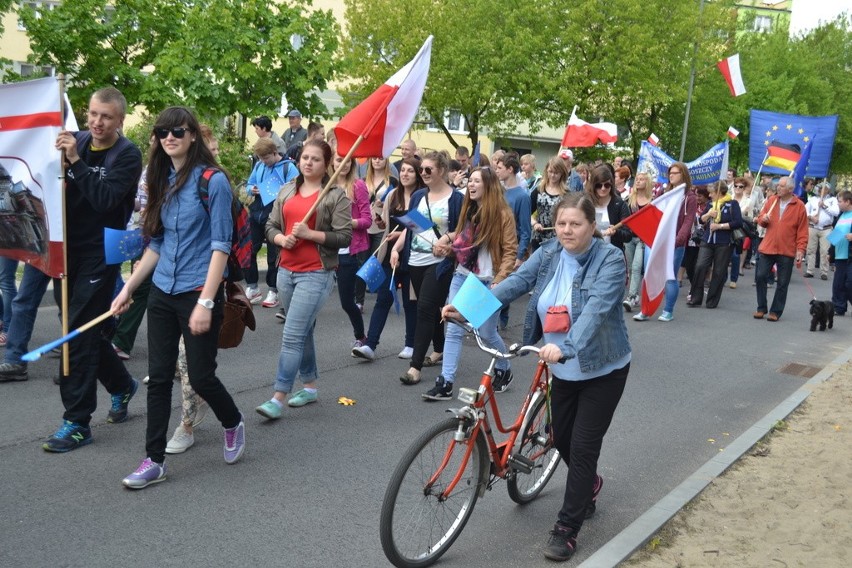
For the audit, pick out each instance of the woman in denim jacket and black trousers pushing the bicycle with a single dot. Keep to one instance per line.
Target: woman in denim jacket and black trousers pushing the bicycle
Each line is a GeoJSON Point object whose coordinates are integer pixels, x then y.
{"type": "Point", "coordinates": [589, 362]}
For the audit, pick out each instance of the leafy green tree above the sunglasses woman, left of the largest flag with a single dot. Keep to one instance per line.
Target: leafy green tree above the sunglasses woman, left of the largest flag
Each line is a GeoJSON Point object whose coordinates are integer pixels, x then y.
{"type": "Point", "coordinates": [240, 55]}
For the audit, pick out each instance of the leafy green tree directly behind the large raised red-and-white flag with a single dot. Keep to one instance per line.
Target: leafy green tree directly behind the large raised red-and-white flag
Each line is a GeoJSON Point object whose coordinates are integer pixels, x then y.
{"type": "Point", "coordinates": [475, 56]}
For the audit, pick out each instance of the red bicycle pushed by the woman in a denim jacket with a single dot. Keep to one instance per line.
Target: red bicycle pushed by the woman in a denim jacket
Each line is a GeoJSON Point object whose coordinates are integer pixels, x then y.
{"type": "Point", "coordinates": [434, 488]}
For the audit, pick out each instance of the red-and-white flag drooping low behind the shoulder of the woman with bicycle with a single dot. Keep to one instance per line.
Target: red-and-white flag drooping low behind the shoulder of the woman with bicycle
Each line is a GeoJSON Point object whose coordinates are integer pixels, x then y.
{"type": "Point", "coordinates": [656, 226]}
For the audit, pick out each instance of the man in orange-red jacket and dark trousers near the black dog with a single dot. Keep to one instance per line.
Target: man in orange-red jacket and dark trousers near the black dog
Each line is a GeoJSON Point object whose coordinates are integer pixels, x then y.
{"type": "Point", "coordinates": [785, 242]}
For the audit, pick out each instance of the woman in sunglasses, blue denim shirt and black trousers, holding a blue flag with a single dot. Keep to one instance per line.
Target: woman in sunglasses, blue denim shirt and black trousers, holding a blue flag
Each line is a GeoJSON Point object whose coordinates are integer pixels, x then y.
{"type": "Point", "coordinates": [190, 243]}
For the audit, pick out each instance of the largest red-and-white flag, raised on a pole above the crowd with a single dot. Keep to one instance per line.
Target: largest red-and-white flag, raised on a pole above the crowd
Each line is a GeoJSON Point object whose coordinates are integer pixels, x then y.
{"type": "Point", "coordinates": [384, 117]}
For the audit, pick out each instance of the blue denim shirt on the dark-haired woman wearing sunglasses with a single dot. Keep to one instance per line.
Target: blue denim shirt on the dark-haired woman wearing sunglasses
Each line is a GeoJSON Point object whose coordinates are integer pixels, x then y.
{"type": "Point", "coordinates": [190, 234]}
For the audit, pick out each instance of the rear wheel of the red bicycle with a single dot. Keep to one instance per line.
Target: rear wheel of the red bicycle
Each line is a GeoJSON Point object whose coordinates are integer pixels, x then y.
{"type": "Point", "coordinates": [537, 446]}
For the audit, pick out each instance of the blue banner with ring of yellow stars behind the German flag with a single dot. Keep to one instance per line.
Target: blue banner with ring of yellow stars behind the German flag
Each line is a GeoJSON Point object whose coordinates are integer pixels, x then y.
{"type": "Point", "coordinates": [767, 127]}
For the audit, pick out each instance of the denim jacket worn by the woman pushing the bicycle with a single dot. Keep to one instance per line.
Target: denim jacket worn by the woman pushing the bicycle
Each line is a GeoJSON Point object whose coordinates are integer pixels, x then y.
{"type": "Point", "coordinates": [598, 335]}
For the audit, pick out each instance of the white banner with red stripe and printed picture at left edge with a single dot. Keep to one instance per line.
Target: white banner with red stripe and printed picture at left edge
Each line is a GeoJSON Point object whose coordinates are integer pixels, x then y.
{"type": "Point", "coordinates": [30, 174]}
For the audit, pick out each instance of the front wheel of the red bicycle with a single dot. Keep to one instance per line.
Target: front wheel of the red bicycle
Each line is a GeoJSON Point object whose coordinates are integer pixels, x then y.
{"type": "Point", "coordinates": [418, 523]}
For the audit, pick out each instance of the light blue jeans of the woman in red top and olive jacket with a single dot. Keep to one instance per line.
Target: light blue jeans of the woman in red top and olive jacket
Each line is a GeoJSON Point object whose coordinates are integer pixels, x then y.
{"type": "Point", "coordinates": [302, 295]}
